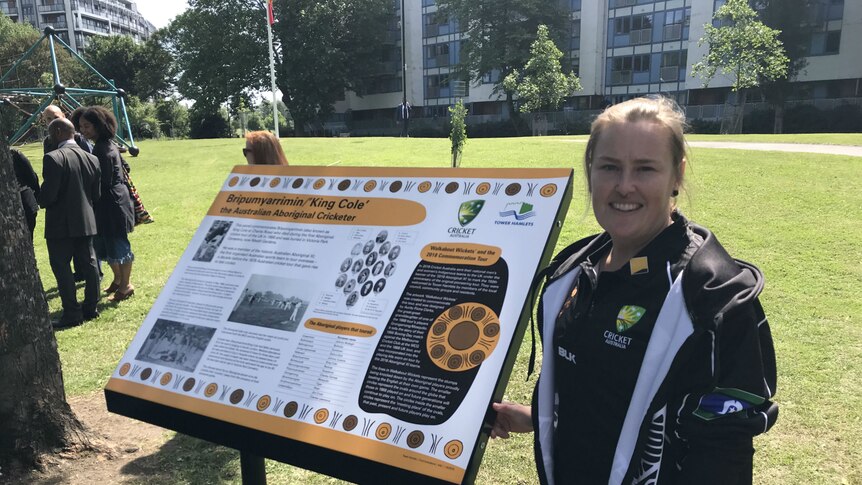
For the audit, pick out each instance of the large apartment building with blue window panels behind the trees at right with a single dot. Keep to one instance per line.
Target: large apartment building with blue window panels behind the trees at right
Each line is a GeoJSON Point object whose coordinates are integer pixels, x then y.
{"type": "Point", "coordinates": [619, 48]}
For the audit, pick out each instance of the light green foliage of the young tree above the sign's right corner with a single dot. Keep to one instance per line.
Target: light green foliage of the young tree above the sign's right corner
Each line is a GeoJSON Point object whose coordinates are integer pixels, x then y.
{"type": "Point", "coordinates": [542, 85]}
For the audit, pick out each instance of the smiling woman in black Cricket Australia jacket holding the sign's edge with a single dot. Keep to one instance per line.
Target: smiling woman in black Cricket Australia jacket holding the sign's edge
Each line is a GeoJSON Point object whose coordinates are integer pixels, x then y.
{"type": "Point", "coordinates": [658, 363]}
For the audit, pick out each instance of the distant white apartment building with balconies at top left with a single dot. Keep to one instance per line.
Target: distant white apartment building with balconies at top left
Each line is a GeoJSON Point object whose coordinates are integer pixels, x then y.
{"type": "Point", "coordinates": [77, 20]}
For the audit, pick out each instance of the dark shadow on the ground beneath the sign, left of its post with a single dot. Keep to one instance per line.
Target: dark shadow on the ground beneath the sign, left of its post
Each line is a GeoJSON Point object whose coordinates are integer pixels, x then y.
{"type": "Point", "coordinates": [184, 459]}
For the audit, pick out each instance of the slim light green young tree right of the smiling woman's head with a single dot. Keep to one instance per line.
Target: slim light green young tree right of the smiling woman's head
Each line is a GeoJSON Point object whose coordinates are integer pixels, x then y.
{"type": "Point", "coordinates": [742, 48]}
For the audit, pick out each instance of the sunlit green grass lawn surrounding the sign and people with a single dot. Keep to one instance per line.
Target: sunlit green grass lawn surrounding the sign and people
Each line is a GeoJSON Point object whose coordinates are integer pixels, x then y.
{"type": "Point", "coordinates": [798, 217]}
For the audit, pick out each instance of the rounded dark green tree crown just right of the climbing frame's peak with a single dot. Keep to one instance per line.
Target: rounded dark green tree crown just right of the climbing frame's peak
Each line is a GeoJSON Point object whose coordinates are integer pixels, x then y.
{"type": "Point", "coordinates": [145, 70]}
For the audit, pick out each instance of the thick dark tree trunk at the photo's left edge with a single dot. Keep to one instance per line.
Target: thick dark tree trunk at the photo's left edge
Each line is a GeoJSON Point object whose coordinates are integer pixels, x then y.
{"type": "Point", "coordinates": [34, 416]}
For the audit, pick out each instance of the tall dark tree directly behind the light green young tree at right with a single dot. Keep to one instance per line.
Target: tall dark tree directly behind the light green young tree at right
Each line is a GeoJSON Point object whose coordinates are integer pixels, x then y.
{"type": "Point", "coordinates": [791, 18]}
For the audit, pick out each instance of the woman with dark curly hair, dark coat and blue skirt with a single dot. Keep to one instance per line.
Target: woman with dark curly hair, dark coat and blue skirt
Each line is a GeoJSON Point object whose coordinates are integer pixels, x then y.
{"type": "Point", "coordinates": [115, 216]}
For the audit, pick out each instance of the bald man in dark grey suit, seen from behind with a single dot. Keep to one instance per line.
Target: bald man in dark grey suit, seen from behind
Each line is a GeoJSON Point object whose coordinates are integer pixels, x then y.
{"type": "Point", "coordinates": [70, 185]}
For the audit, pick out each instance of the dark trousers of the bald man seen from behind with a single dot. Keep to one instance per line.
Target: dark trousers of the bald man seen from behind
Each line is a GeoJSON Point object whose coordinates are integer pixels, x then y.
{"type": "Point", "coordinates": [61, 252]}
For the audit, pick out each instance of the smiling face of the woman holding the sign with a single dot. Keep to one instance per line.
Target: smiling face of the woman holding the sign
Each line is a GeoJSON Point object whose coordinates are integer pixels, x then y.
{"type": "Point", "coordinates": [632, 178]}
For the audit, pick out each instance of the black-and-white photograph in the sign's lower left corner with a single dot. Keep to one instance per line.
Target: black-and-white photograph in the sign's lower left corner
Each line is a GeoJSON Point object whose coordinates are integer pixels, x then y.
{"type": "Point", "coordinates": [175, 344]}
